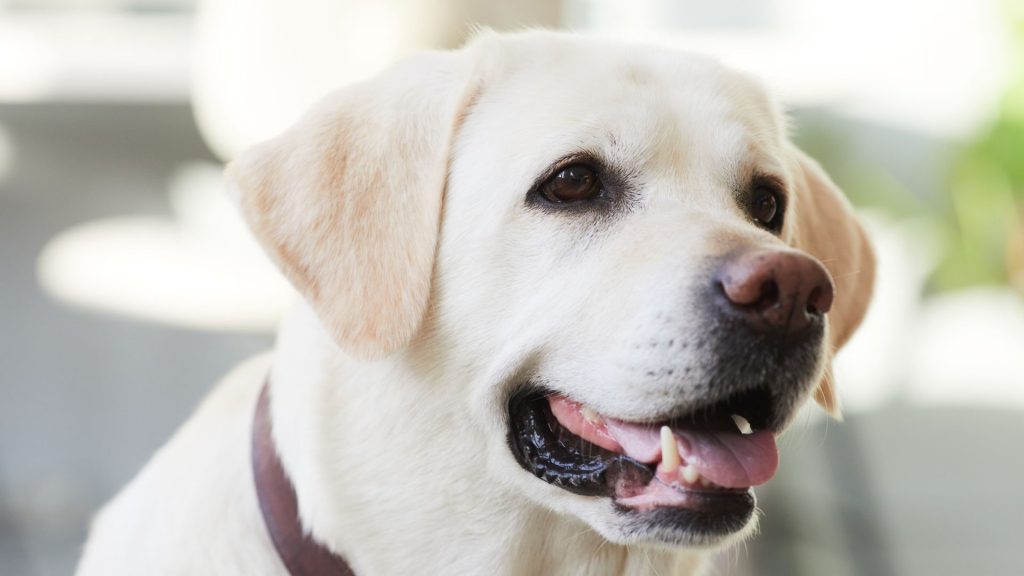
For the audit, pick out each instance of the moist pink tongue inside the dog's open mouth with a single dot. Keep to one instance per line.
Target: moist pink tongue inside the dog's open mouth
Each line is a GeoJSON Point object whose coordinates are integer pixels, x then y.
{"type": "Point", "coordinates": [729, 459]}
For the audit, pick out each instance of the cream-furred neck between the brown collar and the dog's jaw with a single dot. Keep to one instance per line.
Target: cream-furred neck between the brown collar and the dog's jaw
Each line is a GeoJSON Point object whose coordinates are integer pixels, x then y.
{"type": "Point", "coordinates": [390, 475]}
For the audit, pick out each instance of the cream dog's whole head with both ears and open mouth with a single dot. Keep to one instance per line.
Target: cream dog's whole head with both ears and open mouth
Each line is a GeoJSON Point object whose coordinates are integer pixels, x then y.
{"type": "Point", "coordinates": [615, 251]}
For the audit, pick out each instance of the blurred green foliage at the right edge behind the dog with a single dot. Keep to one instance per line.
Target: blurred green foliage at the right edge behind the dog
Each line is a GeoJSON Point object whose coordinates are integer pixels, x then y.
{"type": "Point", "coordinates": [976, 207]}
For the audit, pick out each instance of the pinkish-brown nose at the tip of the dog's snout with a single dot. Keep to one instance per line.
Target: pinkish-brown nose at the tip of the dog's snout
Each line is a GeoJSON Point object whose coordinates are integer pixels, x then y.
{"type": "Point", "coordinates": [777, 291]}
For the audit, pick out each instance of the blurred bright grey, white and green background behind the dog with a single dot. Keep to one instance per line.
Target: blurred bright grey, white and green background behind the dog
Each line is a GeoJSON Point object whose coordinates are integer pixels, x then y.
{"type": "Point", "coordinates": [129, 284]}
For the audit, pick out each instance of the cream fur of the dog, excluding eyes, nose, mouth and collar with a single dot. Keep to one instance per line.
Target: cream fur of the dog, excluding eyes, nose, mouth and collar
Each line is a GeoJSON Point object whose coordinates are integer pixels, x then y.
{"type": "Point", "coordinates": [432, 290]}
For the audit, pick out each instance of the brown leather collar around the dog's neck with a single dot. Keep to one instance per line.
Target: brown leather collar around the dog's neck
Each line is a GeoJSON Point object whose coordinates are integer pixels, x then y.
{"type": "Point", "coordinates": [303, 556]}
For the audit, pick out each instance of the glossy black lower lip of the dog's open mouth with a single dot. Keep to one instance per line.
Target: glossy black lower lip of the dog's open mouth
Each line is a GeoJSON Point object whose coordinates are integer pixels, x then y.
{"type": "Point", "coordinates": [543, 448]}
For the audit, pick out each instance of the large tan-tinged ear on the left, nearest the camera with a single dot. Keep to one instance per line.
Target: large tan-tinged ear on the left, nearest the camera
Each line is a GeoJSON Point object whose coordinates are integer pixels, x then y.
{"type": "Point", "coordinates": [348, 202]}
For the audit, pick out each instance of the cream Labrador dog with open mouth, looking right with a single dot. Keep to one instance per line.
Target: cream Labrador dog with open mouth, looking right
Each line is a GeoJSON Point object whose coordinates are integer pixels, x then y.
{"type": "Point", "coordinates": [560, 298]}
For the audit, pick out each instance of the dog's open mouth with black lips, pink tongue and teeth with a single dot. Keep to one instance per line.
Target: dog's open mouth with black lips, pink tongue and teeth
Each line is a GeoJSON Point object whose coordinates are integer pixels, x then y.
{"type": "Point", "coordinates": [694, 473]}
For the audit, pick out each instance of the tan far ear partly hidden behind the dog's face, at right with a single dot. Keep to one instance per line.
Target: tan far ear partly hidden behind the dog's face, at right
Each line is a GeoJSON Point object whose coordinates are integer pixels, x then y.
{"type": "Point", "coordinates": [827, 228]}
